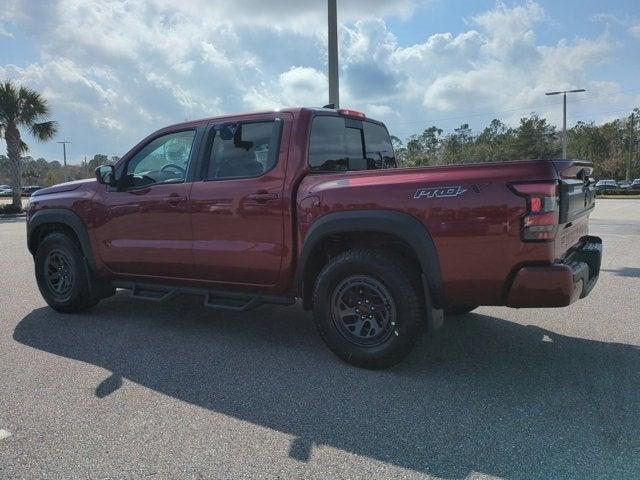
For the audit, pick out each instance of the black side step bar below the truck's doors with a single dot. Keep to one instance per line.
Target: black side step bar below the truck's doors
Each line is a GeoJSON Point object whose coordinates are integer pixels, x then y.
{"type": "Point", "coordinates": [221, 299]}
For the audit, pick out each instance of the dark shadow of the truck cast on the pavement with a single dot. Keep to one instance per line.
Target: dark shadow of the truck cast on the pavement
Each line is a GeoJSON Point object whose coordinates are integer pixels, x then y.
{"type": "Point", "coordinates": [486, 395]}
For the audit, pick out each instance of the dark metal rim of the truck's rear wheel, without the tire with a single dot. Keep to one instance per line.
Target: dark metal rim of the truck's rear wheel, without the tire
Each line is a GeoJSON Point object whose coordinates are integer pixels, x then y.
{"type": "Point", "coordinates": [363, 311]}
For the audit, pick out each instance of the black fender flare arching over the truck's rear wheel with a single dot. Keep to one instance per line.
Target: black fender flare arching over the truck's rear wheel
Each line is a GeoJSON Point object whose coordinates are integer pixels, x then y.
{"type": "Point", "coordinates": [399, 224]}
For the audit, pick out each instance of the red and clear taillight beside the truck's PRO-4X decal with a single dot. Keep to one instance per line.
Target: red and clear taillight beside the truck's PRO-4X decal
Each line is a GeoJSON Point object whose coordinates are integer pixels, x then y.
{"type": "Point", "coordinates": [540, 223]}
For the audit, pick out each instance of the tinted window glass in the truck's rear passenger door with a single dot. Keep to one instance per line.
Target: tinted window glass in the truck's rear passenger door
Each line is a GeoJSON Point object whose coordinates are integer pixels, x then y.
{"type": "Point", "coordinates": [243, 150]}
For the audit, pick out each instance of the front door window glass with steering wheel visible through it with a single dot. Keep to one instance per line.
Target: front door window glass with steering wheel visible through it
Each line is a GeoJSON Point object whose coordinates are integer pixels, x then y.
{"type": "Point", "coordinates": [164, 159]}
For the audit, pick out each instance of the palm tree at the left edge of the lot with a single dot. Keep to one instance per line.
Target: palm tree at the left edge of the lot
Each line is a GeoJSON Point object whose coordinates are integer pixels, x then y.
{"type": "Point", "coordinates": [22, 107]}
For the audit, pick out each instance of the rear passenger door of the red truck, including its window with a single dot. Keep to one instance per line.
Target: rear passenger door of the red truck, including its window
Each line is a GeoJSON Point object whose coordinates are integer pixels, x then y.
{"type": "Point", "coordinates": [239, 203]}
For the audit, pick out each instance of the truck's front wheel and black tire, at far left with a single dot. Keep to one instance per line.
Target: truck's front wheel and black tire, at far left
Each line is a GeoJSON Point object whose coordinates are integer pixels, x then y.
{"type": "Point", "coordinates": [62, 275]}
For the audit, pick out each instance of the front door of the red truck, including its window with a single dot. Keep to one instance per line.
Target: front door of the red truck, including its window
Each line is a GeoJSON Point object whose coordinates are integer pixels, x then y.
{"type": "Point", "coordinates": [144, 226]}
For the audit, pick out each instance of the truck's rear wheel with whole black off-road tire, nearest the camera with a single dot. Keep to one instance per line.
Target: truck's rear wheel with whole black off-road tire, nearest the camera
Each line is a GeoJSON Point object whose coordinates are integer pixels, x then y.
{"type": "Point", "coordinates": [382, 329]}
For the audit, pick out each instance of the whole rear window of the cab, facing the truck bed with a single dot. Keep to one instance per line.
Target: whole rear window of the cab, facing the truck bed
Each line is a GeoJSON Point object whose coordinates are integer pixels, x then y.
{"type": "Point", "coordinates": [341, 144]}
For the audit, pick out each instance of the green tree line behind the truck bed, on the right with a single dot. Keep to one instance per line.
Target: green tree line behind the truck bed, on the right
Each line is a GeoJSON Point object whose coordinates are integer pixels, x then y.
{"type": "Point", "coordinates": [610, 146]}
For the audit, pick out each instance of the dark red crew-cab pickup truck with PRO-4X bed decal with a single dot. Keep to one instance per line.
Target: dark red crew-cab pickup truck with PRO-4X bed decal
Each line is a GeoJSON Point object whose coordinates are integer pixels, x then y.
{"type": "Point", "coordinates": [309, 203]}
